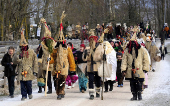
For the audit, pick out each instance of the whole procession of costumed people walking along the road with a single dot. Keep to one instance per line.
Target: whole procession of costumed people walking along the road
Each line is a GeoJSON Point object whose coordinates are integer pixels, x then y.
{"type": "Point", "coordinates": [131, 55]}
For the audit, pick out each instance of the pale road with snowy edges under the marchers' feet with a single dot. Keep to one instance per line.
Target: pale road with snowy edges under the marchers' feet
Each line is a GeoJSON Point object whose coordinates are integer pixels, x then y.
{"type": "Point", "coordinates": [158, 93]}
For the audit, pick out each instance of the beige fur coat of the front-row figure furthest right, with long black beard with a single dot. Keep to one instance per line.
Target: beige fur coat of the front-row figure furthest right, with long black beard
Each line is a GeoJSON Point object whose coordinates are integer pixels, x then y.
{"type": "Point", "coordinates": [141, 63]}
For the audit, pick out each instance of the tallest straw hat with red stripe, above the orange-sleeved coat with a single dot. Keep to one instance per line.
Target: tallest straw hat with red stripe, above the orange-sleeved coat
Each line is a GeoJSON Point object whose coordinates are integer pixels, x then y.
{"type": "Point", "coordinates": [60, 37]}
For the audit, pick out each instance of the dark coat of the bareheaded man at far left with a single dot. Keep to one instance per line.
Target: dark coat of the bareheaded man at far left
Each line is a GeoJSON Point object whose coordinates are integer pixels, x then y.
{"type": "Point", "coordinates": [9, 69]}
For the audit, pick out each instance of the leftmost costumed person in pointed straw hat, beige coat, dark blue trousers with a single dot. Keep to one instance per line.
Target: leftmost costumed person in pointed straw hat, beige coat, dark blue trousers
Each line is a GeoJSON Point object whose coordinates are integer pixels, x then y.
{"type": "Point", "coordinates": [27, 67]}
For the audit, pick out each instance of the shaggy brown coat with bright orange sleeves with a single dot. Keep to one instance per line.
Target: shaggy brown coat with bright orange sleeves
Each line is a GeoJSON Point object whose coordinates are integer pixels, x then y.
{"type": "Point", "coordinates": [62, 60]}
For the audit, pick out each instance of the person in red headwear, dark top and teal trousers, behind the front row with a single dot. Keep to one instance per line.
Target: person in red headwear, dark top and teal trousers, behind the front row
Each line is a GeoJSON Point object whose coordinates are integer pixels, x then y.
{"type": "Point", "coordinates": [81, 69]}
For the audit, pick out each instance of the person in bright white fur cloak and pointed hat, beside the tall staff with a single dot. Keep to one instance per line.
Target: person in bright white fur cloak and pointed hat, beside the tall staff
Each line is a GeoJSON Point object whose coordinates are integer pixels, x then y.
{"type": "Point", "coordinates": [110, 58]}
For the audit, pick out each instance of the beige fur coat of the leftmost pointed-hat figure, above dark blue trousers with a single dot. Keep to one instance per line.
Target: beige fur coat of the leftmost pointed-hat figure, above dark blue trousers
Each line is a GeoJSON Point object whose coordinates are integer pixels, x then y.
{"type": "Point", "coordinates": [28, 64]}
